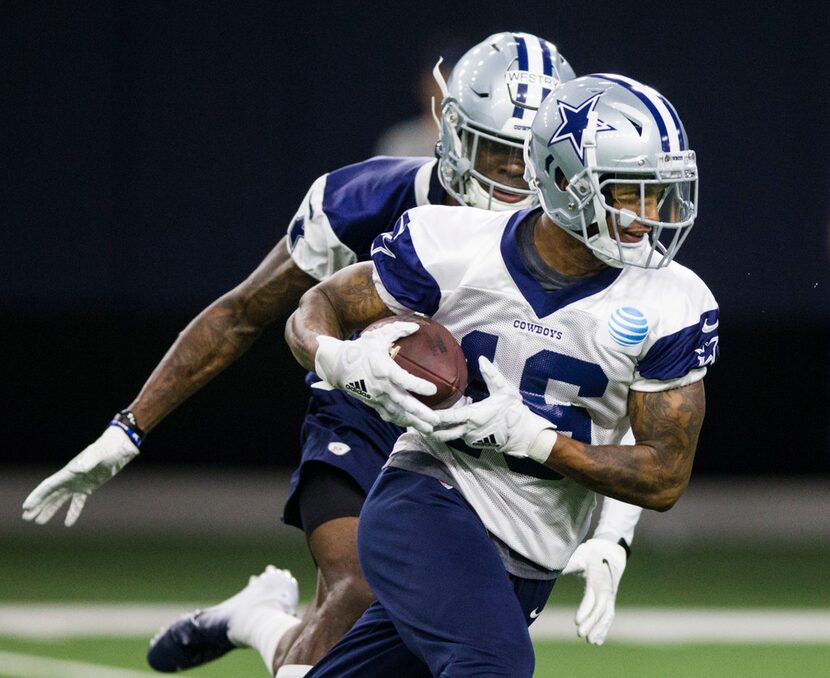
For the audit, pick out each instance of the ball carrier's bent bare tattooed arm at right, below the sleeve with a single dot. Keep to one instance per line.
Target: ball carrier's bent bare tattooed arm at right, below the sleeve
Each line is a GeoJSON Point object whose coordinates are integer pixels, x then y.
{"type": "Point", "coordinates": [655, 471]}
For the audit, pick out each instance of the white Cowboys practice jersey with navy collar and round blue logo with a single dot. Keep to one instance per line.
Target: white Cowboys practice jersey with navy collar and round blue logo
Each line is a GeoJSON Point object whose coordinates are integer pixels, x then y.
{"type": "Point", "coordinates": [574, 353]}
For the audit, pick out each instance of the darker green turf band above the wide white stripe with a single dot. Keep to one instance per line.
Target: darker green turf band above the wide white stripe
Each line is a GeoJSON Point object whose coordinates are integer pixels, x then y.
{"type": "Point", "coordinates": [55, 567]}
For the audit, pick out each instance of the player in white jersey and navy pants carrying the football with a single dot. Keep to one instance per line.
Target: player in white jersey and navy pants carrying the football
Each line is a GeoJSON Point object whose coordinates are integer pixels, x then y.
{"type": "Point", "coordinates": [577, 324]}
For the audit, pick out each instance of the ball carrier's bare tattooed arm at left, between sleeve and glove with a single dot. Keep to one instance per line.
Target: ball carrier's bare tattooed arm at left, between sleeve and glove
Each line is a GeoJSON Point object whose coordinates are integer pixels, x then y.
{"type": "Point", "coordinates": [344, 303]}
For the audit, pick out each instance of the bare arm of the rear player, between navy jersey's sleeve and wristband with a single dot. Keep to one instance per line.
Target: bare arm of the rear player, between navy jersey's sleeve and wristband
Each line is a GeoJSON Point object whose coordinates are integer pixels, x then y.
{"type": "Point", "coordinates": [220, 334]}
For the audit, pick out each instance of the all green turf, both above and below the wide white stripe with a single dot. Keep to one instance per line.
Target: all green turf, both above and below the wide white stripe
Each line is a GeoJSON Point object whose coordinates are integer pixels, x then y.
{"type": "Point", "coordinates": [52, 567]}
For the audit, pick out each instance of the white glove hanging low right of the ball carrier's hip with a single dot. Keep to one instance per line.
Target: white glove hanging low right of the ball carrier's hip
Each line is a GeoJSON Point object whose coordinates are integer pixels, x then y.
{"type": "Point", "coordinates": [601, 562]}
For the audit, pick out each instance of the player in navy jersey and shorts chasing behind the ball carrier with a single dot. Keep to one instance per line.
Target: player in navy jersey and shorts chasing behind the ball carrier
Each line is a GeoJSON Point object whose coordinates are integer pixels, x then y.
{"type": "Point", "coordinates": [485, 115]}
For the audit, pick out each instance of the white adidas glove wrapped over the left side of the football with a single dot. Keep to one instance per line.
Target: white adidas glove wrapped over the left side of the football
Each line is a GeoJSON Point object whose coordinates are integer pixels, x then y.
{"type": "Point", "coordinates": [364, 369]}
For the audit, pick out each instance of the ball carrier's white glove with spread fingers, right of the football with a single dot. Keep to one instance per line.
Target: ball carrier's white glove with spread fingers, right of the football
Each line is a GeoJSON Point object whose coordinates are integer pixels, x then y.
{"type": "Point", "coordinates": [501, 421]}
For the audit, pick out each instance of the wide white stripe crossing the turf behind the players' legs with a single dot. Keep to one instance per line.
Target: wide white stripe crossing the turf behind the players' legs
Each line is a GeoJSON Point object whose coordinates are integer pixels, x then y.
{"type": "Point", "coordinates": [632, 624]}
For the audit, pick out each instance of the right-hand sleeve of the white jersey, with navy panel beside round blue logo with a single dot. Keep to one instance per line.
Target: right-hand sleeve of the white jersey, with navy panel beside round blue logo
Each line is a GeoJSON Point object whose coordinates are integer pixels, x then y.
{"type": "Point", "coordinates": [688, 341]}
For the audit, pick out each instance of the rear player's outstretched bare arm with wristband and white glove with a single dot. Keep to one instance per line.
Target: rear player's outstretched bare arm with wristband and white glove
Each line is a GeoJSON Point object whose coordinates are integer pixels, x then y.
{"type": "Point", "coordinates": [212, 341]}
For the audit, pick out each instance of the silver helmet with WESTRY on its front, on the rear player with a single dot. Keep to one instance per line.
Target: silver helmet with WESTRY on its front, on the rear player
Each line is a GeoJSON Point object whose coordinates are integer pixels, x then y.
{"type": "Point", "coordinates": [493, 93]}
